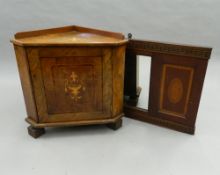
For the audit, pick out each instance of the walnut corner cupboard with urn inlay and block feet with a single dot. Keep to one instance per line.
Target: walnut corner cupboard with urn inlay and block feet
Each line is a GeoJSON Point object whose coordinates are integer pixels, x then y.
{"type": "Point", "coordinates": [71, 76]}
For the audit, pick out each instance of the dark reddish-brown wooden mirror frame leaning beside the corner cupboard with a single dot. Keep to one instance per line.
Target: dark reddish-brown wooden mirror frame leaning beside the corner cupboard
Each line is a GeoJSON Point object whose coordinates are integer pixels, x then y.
{"type": "Point", "coordinates": [176, 81]}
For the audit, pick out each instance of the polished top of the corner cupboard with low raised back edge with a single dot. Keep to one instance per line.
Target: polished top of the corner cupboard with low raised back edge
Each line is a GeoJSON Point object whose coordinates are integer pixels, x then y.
{"type": "Point", "coordinates": [71, 35]}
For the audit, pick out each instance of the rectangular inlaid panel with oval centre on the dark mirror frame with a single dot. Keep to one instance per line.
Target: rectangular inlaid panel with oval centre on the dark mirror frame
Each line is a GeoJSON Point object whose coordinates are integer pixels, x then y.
{"type": "Point", "coordinates": [175, 89]}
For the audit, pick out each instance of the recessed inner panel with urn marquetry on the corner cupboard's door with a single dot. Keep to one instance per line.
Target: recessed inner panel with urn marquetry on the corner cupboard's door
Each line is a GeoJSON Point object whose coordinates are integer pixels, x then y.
{"type": "Point", "coordinates": [72, 84]}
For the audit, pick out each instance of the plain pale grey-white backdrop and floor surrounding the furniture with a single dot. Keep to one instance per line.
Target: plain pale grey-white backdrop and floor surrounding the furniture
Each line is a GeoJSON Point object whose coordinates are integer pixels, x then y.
{"type": "Point", "coordinates": [137, 148]}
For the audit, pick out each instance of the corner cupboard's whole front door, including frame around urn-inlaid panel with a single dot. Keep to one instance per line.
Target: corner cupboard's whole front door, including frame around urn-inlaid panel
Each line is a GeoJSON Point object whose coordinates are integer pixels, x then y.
{"type": "Point", "coordinates": [69, 84]}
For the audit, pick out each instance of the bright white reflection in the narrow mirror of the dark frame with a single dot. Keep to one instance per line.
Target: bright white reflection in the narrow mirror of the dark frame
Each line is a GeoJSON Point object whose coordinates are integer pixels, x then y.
{"type": "Point", "coordinates": [143, 80]}
